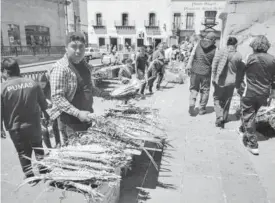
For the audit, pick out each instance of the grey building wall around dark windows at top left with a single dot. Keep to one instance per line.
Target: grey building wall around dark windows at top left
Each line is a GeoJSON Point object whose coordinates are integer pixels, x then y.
{"type": "Point", "coordinates": [33, 12]}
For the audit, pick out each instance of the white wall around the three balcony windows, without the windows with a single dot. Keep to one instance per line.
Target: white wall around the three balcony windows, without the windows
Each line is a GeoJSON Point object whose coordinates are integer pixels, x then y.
{"type": "Point", "coordinates": [138, 11]}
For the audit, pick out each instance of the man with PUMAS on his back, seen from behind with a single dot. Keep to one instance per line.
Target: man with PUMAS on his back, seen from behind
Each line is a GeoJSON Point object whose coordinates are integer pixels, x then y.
{"type": "Point", "coordinates": [21, 101]}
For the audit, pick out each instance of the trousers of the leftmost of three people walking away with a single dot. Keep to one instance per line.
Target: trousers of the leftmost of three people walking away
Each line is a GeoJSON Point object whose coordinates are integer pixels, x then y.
{"type": "Point", "coordinates": [199, 83]}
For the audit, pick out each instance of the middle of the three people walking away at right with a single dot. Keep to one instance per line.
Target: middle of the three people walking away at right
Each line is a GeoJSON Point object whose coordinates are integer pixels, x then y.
{"type": "Point", "coordinates": [227, 62]}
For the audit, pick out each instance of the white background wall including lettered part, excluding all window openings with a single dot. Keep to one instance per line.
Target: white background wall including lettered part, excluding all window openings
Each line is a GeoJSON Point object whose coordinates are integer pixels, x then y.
{"type": "Point", "coordinates": [139, 10]}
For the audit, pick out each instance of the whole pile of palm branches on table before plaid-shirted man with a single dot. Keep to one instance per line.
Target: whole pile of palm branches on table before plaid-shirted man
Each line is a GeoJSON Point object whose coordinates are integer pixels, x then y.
{"type": "Point", "coordinates": [93, 156]}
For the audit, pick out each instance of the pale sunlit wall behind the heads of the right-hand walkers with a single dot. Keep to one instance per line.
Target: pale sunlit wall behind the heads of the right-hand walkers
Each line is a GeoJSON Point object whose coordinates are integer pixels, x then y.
{"type": "Point", "coordinates": [247, 19]}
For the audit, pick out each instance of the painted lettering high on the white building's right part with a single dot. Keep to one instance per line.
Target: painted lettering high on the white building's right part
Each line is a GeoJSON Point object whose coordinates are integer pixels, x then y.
{"type": "Point", "coordinates": [204, 6]}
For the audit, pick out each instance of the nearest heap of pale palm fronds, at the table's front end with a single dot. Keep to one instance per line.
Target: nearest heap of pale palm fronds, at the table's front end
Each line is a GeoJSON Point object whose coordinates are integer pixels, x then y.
{"type": "Point", "coordinates": [82, 168]}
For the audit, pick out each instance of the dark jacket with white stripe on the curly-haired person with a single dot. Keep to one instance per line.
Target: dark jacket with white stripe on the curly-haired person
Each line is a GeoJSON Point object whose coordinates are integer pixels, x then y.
{"type": "Point", "coordinates": [259, 75]}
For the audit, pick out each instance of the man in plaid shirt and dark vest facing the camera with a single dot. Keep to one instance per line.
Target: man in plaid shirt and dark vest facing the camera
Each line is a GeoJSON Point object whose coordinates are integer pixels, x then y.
{"type": "Point", "coordinates": [72, 89]}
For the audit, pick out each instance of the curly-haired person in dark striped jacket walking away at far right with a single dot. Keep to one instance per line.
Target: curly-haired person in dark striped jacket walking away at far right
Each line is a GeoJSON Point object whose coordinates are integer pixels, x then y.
{"type": "Point", "coordinates": [257, 85]}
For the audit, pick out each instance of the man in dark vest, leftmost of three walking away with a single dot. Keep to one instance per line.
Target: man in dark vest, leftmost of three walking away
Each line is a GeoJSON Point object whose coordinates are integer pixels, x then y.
{"type": "Point", "coordinates": [200, 67]}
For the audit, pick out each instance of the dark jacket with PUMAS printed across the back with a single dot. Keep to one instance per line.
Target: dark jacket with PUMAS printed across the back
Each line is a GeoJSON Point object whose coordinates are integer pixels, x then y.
{"type": "Point", "coordinates": [21, 101]}
